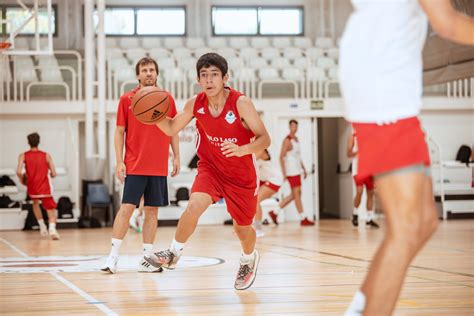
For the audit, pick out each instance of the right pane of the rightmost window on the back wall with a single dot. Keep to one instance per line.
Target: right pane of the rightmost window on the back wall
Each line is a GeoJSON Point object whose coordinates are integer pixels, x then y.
{"type": "Point", "coordinates": [281, 21]}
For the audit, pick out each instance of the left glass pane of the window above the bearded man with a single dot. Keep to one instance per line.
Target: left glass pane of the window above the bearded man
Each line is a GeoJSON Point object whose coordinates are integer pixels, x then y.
{"type": "Point", "coordinates": [117, 21]}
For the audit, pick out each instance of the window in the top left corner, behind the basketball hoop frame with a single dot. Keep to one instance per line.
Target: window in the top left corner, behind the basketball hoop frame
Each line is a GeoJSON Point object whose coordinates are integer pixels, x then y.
{"type": "Point", "coordinates": [17, 16]}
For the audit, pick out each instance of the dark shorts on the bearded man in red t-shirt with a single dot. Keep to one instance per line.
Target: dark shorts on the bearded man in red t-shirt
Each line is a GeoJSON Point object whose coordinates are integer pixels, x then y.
{"type": "Point", "coordinates": [154, 189]}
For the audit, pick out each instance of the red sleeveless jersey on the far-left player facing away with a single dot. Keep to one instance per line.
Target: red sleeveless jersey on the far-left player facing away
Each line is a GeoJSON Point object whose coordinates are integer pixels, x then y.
{"type": "Point", "coordinates": [37, 173]}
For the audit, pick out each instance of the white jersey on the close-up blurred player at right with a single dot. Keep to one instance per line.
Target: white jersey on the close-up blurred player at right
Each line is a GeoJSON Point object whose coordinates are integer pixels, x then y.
{"type": "Point", "coordinates": [380, 62]}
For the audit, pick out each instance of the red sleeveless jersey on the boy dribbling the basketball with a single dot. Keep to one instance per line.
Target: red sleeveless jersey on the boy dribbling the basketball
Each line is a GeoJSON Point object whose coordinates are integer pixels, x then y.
{"type": "Point", "coordinates": [213, 131]}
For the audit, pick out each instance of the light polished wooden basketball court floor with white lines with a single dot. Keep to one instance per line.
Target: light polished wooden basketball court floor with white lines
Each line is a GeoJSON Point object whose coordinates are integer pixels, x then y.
{"type": "Point", "coordinates": [304, 271]}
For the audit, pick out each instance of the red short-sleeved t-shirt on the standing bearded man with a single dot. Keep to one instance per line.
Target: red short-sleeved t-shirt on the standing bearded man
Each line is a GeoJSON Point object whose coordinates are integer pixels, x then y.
{"type": "Point", "coordinates": [146, 146]}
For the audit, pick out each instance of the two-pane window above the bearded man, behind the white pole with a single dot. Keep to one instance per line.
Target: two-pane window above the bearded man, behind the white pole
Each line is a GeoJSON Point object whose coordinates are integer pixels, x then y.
{"type": "Point", "coordinates": [143, 21]}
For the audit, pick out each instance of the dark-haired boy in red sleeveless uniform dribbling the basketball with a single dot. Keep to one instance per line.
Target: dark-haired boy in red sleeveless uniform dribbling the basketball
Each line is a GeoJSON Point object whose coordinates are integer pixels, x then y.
{"type": "Point", "coordinates": [230, 132]}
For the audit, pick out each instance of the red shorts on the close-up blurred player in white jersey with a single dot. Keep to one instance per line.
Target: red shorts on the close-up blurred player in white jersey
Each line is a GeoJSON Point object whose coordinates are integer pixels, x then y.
{"type": "Point", "coordinates": [383, 148]}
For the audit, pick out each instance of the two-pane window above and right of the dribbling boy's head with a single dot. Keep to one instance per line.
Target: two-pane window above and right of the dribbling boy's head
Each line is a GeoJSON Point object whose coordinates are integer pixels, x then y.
{"type": "Point", "coordinates": [257, 20]}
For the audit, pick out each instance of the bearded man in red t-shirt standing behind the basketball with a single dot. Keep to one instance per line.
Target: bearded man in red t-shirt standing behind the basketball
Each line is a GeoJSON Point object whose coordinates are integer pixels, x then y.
{"type": "Point", "coordinates": [144, 169]}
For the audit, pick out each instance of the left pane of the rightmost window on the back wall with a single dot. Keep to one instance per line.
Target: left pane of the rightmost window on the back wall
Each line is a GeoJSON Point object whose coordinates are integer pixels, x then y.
{"type": "Point", "coordinates": [231, 21]}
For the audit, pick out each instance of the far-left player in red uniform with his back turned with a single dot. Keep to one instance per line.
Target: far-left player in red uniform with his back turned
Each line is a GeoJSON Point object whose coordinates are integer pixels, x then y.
{"type": "Point", "coordinates": [39, 166]}
